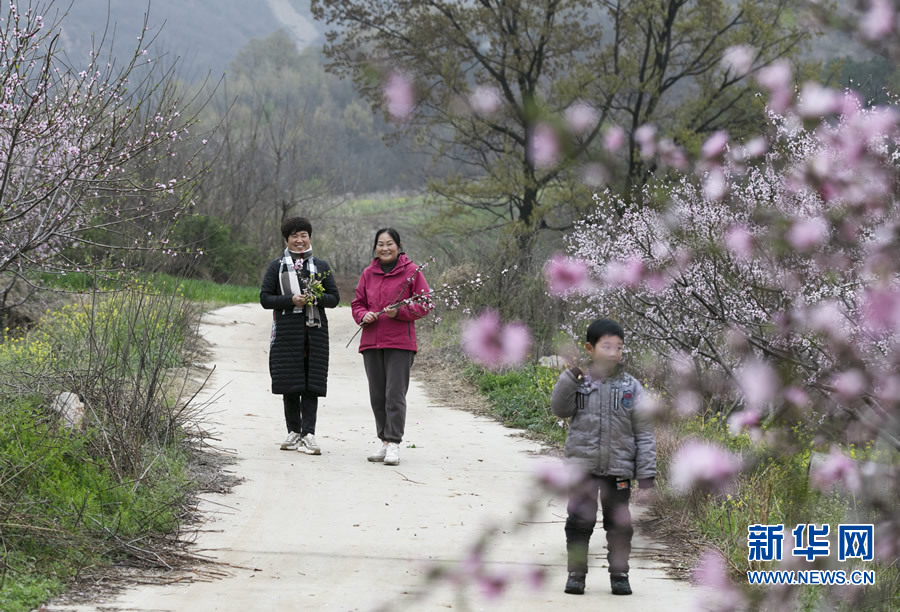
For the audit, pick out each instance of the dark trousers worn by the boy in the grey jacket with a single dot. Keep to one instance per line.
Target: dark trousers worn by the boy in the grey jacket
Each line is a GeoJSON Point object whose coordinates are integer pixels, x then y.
{"type": "Point", "coordinates": [615, 494]}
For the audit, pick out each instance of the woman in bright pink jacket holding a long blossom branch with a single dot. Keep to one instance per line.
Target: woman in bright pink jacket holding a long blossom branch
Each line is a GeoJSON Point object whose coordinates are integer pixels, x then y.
{"type": "Point", "coordinates": [388, 342]}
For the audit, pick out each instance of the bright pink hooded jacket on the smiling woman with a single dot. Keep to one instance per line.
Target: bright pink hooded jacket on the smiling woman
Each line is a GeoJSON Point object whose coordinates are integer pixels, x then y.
{"type": "Point", "coordinates": [375, 291]}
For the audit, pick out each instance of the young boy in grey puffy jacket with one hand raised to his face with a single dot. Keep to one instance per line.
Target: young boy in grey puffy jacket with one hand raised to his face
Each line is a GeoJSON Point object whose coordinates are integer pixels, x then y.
{"type": "Point", "coordinates": [613, 443]}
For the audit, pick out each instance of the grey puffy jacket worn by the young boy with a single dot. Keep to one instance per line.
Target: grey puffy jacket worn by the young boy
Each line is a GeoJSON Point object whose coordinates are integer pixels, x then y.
{"type": "Point", "coordinates": [607, 436]}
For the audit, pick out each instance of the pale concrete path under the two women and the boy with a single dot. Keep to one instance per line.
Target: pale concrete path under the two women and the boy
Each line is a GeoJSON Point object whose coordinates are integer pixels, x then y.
{"type": "Point", "coordinates": [335, 532]}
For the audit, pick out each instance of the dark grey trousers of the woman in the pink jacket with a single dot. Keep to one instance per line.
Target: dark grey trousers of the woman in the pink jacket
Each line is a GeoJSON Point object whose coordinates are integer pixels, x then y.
{"type": "Point", "coordinates": [388, 374]}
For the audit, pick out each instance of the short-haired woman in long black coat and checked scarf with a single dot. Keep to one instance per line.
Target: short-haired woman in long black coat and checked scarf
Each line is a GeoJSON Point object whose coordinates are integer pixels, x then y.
{"type": "Point", "coordinates": [298, 351]}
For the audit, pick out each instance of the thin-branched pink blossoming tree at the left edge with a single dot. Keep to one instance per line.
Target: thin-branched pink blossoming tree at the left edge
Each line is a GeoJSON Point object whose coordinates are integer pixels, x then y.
{"type": "Point", "coordinates": [81, 149]}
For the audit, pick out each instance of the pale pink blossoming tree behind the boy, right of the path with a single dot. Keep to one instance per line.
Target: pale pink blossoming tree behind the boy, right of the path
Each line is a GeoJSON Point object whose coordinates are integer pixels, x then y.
{"type": "Point", "coordinates": [790, 269]}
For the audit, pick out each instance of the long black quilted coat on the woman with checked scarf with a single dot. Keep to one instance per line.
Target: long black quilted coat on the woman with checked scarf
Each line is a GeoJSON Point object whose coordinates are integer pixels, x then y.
{"type": "Point", "coordinates": [298, 355]}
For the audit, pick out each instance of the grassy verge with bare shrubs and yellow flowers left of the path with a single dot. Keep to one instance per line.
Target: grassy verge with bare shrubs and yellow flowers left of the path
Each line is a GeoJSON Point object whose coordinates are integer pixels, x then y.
{"type": "Point", "coordinates": [75, 499]}
